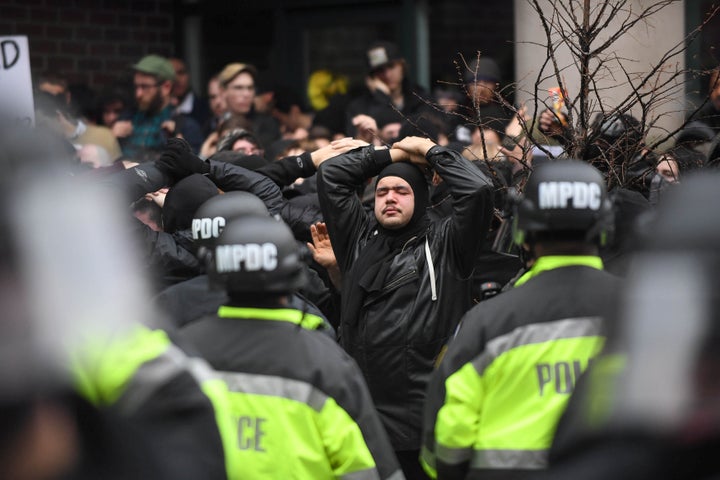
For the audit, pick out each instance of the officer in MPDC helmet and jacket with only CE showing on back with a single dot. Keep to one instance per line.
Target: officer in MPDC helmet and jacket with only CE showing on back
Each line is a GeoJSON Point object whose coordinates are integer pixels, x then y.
{"type": "Point", "coordinates": [301, 407]}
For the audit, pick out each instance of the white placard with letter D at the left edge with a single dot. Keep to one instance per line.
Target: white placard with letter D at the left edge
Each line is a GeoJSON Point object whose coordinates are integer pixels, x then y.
{"type": "Point", "coordinates": [16, 91]}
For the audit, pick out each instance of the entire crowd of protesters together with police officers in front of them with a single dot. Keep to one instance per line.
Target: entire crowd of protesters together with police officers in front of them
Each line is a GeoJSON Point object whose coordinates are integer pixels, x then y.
{"type": "Point", "coordinates": [384, 284]}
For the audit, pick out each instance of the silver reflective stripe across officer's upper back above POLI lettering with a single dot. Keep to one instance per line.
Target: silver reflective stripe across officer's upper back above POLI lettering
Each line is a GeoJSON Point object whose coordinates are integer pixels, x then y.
{"type": "Point", "coordinates": [536, 333]}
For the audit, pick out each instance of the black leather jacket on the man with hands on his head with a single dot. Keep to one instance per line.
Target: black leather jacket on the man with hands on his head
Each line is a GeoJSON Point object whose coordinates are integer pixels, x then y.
{"type": "Point", "coordinates": [407, 320]}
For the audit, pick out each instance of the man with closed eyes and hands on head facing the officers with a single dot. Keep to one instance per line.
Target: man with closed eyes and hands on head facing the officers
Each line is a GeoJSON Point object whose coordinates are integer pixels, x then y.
{"type": "Point", "coordinates": [406, 280]}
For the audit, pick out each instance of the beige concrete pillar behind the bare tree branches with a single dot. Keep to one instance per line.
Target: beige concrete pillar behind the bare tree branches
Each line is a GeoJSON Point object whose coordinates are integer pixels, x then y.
{"type": "Point", "coordinates": [637, 52]}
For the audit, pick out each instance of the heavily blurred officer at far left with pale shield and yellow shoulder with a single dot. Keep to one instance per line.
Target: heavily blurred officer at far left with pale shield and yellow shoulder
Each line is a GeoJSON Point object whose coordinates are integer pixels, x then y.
{"type": "Point", "coordinates": [68, 283]}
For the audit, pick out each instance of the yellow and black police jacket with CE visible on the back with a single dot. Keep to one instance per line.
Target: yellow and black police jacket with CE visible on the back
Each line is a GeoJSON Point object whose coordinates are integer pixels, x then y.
{"type": "Point", "coordinates": [299, 405]}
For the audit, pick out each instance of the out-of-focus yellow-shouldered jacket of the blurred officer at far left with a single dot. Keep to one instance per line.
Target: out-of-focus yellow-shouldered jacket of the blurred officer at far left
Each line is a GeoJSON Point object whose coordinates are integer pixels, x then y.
{"type": "Point", "coordinates": [175, 399]}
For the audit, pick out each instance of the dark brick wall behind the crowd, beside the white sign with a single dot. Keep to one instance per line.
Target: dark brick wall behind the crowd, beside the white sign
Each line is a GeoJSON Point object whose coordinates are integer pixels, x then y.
{"type": "Point", "coordinates": [89, 41]}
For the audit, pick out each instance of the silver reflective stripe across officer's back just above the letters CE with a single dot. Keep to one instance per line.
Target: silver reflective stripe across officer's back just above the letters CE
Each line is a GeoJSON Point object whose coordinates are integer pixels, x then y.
{"type": "Point", "coordinates": [276, 387]}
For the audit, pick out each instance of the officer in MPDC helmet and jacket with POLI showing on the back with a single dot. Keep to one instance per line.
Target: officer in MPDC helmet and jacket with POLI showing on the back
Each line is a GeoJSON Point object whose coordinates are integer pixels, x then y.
{"type": "Point", "coordinates": [496, 397]}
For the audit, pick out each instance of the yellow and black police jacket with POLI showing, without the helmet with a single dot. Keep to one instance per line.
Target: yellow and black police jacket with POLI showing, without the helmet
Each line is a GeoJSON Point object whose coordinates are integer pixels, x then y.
{"type": "Point", "coordinates": [496, 397]}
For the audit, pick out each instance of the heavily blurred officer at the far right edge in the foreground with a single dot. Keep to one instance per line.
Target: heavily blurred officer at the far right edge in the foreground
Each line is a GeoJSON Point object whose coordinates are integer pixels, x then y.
{"type": "Point", "coordinates": [649, 407]}
